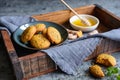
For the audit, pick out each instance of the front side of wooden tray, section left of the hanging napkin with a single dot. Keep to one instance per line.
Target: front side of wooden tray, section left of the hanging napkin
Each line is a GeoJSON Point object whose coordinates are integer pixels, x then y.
{"type": "Point", "coordinates": [36, 64]}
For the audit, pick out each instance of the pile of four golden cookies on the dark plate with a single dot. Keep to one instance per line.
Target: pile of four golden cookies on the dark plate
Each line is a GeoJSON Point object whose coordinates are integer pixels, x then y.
{"type": "Point", "coordinates": [41, 37]}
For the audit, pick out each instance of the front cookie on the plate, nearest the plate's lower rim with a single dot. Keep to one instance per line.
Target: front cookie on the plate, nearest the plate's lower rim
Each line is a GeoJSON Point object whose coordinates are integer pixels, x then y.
{"type": "Point", "coordinates": [39, 41]}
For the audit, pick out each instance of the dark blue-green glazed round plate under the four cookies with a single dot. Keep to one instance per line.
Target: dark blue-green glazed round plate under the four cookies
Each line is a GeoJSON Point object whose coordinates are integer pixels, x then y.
{"type": "Point", "coordinates": [19, 31]}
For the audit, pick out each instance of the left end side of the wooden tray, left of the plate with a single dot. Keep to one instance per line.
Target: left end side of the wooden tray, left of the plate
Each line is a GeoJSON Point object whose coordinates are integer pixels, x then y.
{"type": "Point", "coordinates": [12, 54]}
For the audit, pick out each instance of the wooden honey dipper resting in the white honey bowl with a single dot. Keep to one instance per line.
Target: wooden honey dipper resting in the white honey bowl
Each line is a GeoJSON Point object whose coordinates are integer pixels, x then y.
{"type": "Point", "coordinates": [84, 20]}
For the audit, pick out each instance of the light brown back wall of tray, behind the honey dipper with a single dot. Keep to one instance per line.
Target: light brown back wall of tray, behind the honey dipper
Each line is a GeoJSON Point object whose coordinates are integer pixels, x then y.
{"type": "Point", "coordinates": [62, 16]}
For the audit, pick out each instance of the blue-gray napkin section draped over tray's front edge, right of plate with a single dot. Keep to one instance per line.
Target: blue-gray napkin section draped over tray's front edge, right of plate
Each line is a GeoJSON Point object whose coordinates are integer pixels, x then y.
{"type": "Point", "coordinates": [71, 55]}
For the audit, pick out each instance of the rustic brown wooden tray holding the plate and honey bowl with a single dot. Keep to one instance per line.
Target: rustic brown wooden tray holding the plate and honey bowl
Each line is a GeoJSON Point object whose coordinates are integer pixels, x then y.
{"type": "Point", "coordinates": [28, 64]}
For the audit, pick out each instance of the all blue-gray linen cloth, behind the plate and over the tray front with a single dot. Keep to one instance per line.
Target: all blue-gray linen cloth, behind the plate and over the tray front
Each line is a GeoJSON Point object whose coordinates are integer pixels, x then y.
{"type": "Point", "coordinates": [70, 55]}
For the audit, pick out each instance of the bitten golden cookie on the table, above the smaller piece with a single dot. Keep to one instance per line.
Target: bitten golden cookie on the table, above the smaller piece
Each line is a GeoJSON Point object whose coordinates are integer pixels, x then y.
{"type": "Point", "coordinates": [106, 59]}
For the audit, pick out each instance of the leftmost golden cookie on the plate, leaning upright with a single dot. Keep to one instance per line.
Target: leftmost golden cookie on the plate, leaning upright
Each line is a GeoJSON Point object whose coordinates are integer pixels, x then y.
{"type": "Point", "coordinates": [28, 33]}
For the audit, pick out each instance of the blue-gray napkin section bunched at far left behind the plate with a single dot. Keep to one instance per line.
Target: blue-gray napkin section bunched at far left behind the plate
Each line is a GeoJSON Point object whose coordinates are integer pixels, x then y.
{"type": "Point", "coordinates": [11, 23]}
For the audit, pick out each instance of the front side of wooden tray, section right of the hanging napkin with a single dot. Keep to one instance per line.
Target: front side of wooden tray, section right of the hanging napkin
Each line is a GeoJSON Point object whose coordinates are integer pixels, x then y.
{"type": "Point", "coordinates": [106, 45]}
